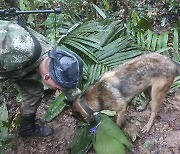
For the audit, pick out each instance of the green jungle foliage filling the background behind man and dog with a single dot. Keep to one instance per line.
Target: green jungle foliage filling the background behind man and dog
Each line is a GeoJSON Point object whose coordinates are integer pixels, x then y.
{"type": "Point", "coordinates": [102, 35]}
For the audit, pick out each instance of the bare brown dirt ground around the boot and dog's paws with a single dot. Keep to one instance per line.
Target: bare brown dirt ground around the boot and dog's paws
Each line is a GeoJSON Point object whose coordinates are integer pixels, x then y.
{"type": "Point", "coordinates": [164, 137]}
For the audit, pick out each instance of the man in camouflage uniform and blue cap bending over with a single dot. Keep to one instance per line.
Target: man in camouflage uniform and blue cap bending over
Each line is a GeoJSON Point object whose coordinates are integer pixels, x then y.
{"type": "Point", "coordinates": [57, 69]}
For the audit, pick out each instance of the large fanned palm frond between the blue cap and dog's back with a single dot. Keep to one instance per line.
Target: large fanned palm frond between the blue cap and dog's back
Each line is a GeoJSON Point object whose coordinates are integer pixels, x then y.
{"type": "Point", "coordinates": [102, 46]}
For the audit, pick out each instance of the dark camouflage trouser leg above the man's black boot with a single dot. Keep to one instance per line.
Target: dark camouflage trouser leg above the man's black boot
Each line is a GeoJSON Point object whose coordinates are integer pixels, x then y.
{"type": "Point", "coordinates": [31, 92]}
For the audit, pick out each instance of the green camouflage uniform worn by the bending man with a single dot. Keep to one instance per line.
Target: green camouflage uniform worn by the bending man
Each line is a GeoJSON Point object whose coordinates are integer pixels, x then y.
{"type": "Point", "coordinates": [13, 53]}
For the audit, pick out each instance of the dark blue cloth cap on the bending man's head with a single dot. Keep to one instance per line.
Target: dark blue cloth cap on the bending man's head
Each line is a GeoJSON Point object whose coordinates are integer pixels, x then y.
{"type": "Point", "coordinates": [66, 68]}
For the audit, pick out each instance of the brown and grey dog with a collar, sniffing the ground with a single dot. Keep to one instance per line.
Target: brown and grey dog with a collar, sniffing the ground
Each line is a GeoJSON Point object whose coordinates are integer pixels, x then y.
{"type": "Point", "coordinates": [151, 73]}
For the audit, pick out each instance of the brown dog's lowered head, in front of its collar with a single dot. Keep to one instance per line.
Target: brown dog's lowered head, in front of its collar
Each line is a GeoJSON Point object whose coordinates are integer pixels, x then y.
{"type": "Point", "coordinates": [82, 111]}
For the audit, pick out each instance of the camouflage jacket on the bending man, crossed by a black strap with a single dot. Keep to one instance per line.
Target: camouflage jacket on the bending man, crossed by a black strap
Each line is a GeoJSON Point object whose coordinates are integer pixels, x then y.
{"type": "Point", "coordinates": [16, 47]}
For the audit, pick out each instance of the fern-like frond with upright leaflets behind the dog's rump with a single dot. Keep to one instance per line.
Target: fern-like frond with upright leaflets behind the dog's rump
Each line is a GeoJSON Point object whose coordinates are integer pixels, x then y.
{"type": "Point", "coordinates": [165, 43]}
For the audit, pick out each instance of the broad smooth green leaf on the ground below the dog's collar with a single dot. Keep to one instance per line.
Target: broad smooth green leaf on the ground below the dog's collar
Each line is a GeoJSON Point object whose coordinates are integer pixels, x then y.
{"type": "Point", "coordinates": [109, 138]}
